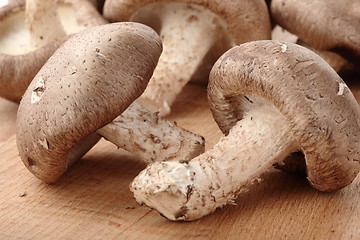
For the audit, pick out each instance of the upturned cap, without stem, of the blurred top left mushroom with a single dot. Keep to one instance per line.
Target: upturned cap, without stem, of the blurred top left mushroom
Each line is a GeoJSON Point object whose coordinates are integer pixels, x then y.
{"type": "Point", "coordinates": [19, 60]}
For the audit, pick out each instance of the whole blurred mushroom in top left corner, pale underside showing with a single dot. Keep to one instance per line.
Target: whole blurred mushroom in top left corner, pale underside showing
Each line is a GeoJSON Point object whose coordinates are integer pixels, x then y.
{"type": "Point", "coordinates": [24, 48]}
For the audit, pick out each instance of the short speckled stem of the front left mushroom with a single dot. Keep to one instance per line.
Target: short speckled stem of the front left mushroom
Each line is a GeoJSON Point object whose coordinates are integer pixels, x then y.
{"type": "Point", "coordinates": [150, 137]}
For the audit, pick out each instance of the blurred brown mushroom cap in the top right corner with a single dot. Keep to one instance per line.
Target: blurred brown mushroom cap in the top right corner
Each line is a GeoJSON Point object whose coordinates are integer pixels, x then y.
{"type": "Point", "coordinates": [324, 24]}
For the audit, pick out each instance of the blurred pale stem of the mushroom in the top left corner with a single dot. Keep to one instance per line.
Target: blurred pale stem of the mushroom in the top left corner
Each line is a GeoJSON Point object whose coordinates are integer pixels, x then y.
{"type": "Point", "coordinates": [43, 22]}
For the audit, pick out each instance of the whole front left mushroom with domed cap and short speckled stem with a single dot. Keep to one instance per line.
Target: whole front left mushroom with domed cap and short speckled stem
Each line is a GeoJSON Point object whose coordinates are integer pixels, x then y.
{"type": "Point", "coordinates": [88, 82]}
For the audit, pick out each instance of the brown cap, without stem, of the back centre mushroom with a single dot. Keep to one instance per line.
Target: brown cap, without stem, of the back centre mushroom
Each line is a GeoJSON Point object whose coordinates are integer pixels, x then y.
{"type": "Point", "coordinates": [246, 20]}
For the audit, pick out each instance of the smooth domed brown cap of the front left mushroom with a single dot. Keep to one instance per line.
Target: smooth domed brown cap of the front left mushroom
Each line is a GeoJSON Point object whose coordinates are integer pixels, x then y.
{"type": "Point", "coordinates": [91, 79]}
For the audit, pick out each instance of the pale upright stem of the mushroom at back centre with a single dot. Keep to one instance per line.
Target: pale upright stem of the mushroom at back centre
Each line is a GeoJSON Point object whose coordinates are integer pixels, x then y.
{"type": "Point", "coordinates": [187, 32]}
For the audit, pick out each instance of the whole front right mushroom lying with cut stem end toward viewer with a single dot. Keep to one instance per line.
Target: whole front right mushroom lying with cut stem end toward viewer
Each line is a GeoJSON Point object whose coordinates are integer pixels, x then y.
{"type": "Point", "coordinates": [270, 99]}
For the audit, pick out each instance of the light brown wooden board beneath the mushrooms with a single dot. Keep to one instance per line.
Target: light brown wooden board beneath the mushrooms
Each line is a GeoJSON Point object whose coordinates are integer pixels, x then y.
{"type": "Point", "coordinates": [92, 200]}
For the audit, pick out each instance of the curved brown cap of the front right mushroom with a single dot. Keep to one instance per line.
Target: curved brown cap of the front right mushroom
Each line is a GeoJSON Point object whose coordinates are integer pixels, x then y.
{"type": "Point", "coordinates": [319, 108]}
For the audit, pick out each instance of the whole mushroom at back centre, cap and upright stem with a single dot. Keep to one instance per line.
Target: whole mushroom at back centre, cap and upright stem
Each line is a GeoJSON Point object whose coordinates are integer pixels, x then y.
{"type": "Point", "coordinates": [190, 31]}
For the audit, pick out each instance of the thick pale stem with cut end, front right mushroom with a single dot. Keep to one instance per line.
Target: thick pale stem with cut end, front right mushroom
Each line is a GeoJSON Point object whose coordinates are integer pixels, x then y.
{"type": "Point", "coordinates": [188, 191]}
